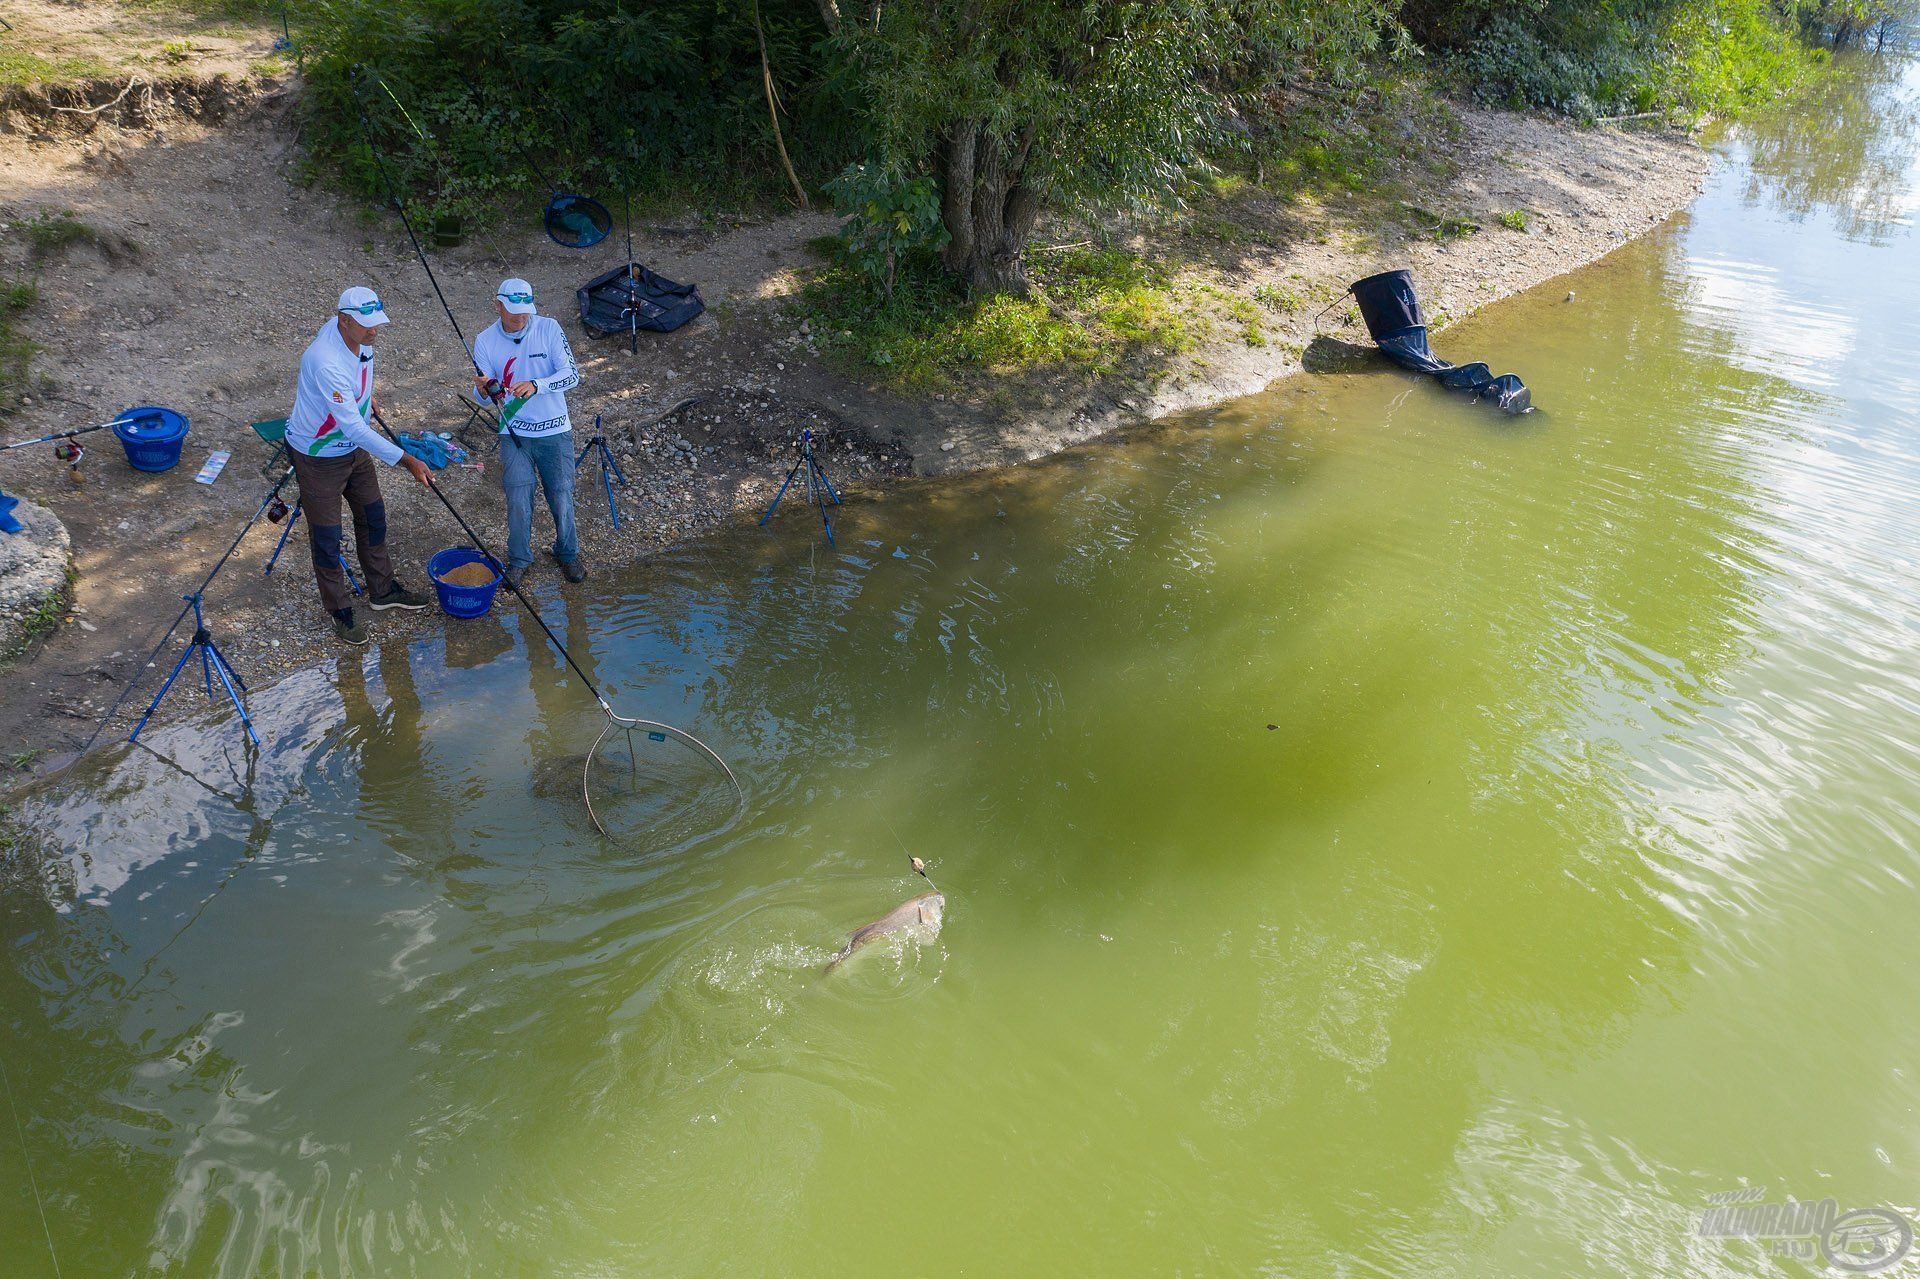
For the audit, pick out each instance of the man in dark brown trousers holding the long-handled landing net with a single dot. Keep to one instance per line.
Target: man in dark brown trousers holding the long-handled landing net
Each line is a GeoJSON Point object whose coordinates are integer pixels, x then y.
{"type": "Point", "coordinates": [333, 443]}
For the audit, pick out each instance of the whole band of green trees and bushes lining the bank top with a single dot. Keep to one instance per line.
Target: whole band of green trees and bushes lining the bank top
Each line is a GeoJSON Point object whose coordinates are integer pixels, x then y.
{"type": "Point", "coordinates": [990, 114]}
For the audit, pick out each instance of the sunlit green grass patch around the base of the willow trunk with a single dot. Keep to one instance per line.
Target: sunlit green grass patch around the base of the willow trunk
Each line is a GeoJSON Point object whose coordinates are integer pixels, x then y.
{"type": "Point", "coordinates": [1090, 310]}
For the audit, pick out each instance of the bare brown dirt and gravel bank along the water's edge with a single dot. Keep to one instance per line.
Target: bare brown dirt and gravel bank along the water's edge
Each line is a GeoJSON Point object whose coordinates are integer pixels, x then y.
{"type": "Point", "coordinates": [212, 266]}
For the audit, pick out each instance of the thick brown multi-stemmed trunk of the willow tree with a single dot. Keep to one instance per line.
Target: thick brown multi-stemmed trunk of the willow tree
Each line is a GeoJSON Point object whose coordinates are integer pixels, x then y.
{"type": "Point", "coordinates": [988, 208]}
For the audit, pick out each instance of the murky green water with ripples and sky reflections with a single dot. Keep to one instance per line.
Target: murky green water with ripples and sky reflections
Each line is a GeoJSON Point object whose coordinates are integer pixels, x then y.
{"type": "Point", "coordinates": [1572, 882]}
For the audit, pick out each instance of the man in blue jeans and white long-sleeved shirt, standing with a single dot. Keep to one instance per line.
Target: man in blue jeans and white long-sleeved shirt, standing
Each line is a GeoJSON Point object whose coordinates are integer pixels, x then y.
{"type": "Point", "coordinates": [525, 370]}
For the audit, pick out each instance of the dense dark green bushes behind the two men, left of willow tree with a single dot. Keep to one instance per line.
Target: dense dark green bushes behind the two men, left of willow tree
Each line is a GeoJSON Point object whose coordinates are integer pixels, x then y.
{"type": "Point", "coordinates": [661, 99]}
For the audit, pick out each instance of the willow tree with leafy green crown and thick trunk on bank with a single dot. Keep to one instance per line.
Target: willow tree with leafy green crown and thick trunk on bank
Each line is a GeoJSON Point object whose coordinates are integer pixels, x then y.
{"type": "Point", "coordinates": [1019, 107]}
